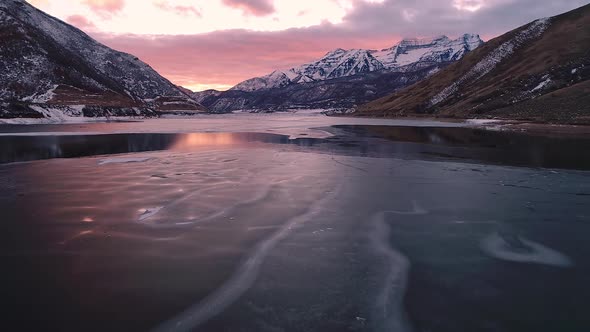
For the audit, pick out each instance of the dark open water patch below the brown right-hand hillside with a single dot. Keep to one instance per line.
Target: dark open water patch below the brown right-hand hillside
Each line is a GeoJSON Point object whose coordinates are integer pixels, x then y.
{"type": "Point", "coordinates": [498, 147]}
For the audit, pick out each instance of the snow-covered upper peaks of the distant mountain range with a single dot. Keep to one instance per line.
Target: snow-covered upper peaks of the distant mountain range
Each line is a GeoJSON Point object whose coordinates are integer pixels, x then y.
{"type": "Point", "coordinates": [342, 63]}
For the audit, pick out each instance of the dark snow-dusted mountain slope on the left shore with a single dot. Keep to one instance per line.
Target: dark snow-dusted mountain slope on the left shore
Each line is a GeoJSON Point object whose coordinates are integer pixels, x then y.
{"type": "Point", "coordinates": [46, 63]}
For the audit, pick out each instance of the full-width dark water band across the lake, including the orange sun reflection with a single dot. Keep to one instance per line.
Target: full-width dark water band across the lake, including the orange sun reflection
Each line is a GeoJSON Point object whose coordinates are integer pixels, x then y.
{"type": "Point", "coordinates": [427, 143]}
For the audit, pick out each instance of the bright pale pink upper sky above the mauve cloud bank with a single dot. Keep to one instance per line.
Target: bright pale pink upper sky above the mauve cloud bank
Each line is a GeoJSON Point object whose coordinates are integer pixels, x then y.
{"type": "Point", "coordinates": [174, 17]}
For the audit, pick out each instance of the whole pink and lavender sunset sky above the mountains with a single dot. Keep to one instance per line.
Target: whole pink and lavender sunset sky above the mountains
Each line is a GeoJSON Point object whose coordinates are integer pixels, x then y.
{"type": "Point", "coordinates": [215, 44]}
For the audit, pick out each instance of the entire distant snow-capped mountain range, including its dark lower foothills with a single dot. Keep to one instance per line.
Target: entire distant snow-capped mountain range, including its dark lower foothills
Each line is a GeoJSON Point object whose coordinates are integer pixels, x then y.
{"type": "Point", "coordinates": [343, 78]}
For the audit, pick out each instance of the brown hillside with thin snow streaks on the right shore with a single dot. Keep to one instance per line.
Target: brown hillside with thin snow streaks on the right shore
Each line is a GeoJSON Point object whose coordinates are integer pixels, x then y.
{"type": "Point", "coordinates": [539, 71]}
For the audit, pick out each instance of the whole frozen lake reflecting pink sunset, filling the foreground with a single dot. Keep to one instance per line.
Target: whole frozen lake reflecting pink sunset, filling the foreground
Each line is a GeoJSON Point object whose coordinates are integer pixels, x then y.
{"type": "Point", "coordinates": [293, 222]}
